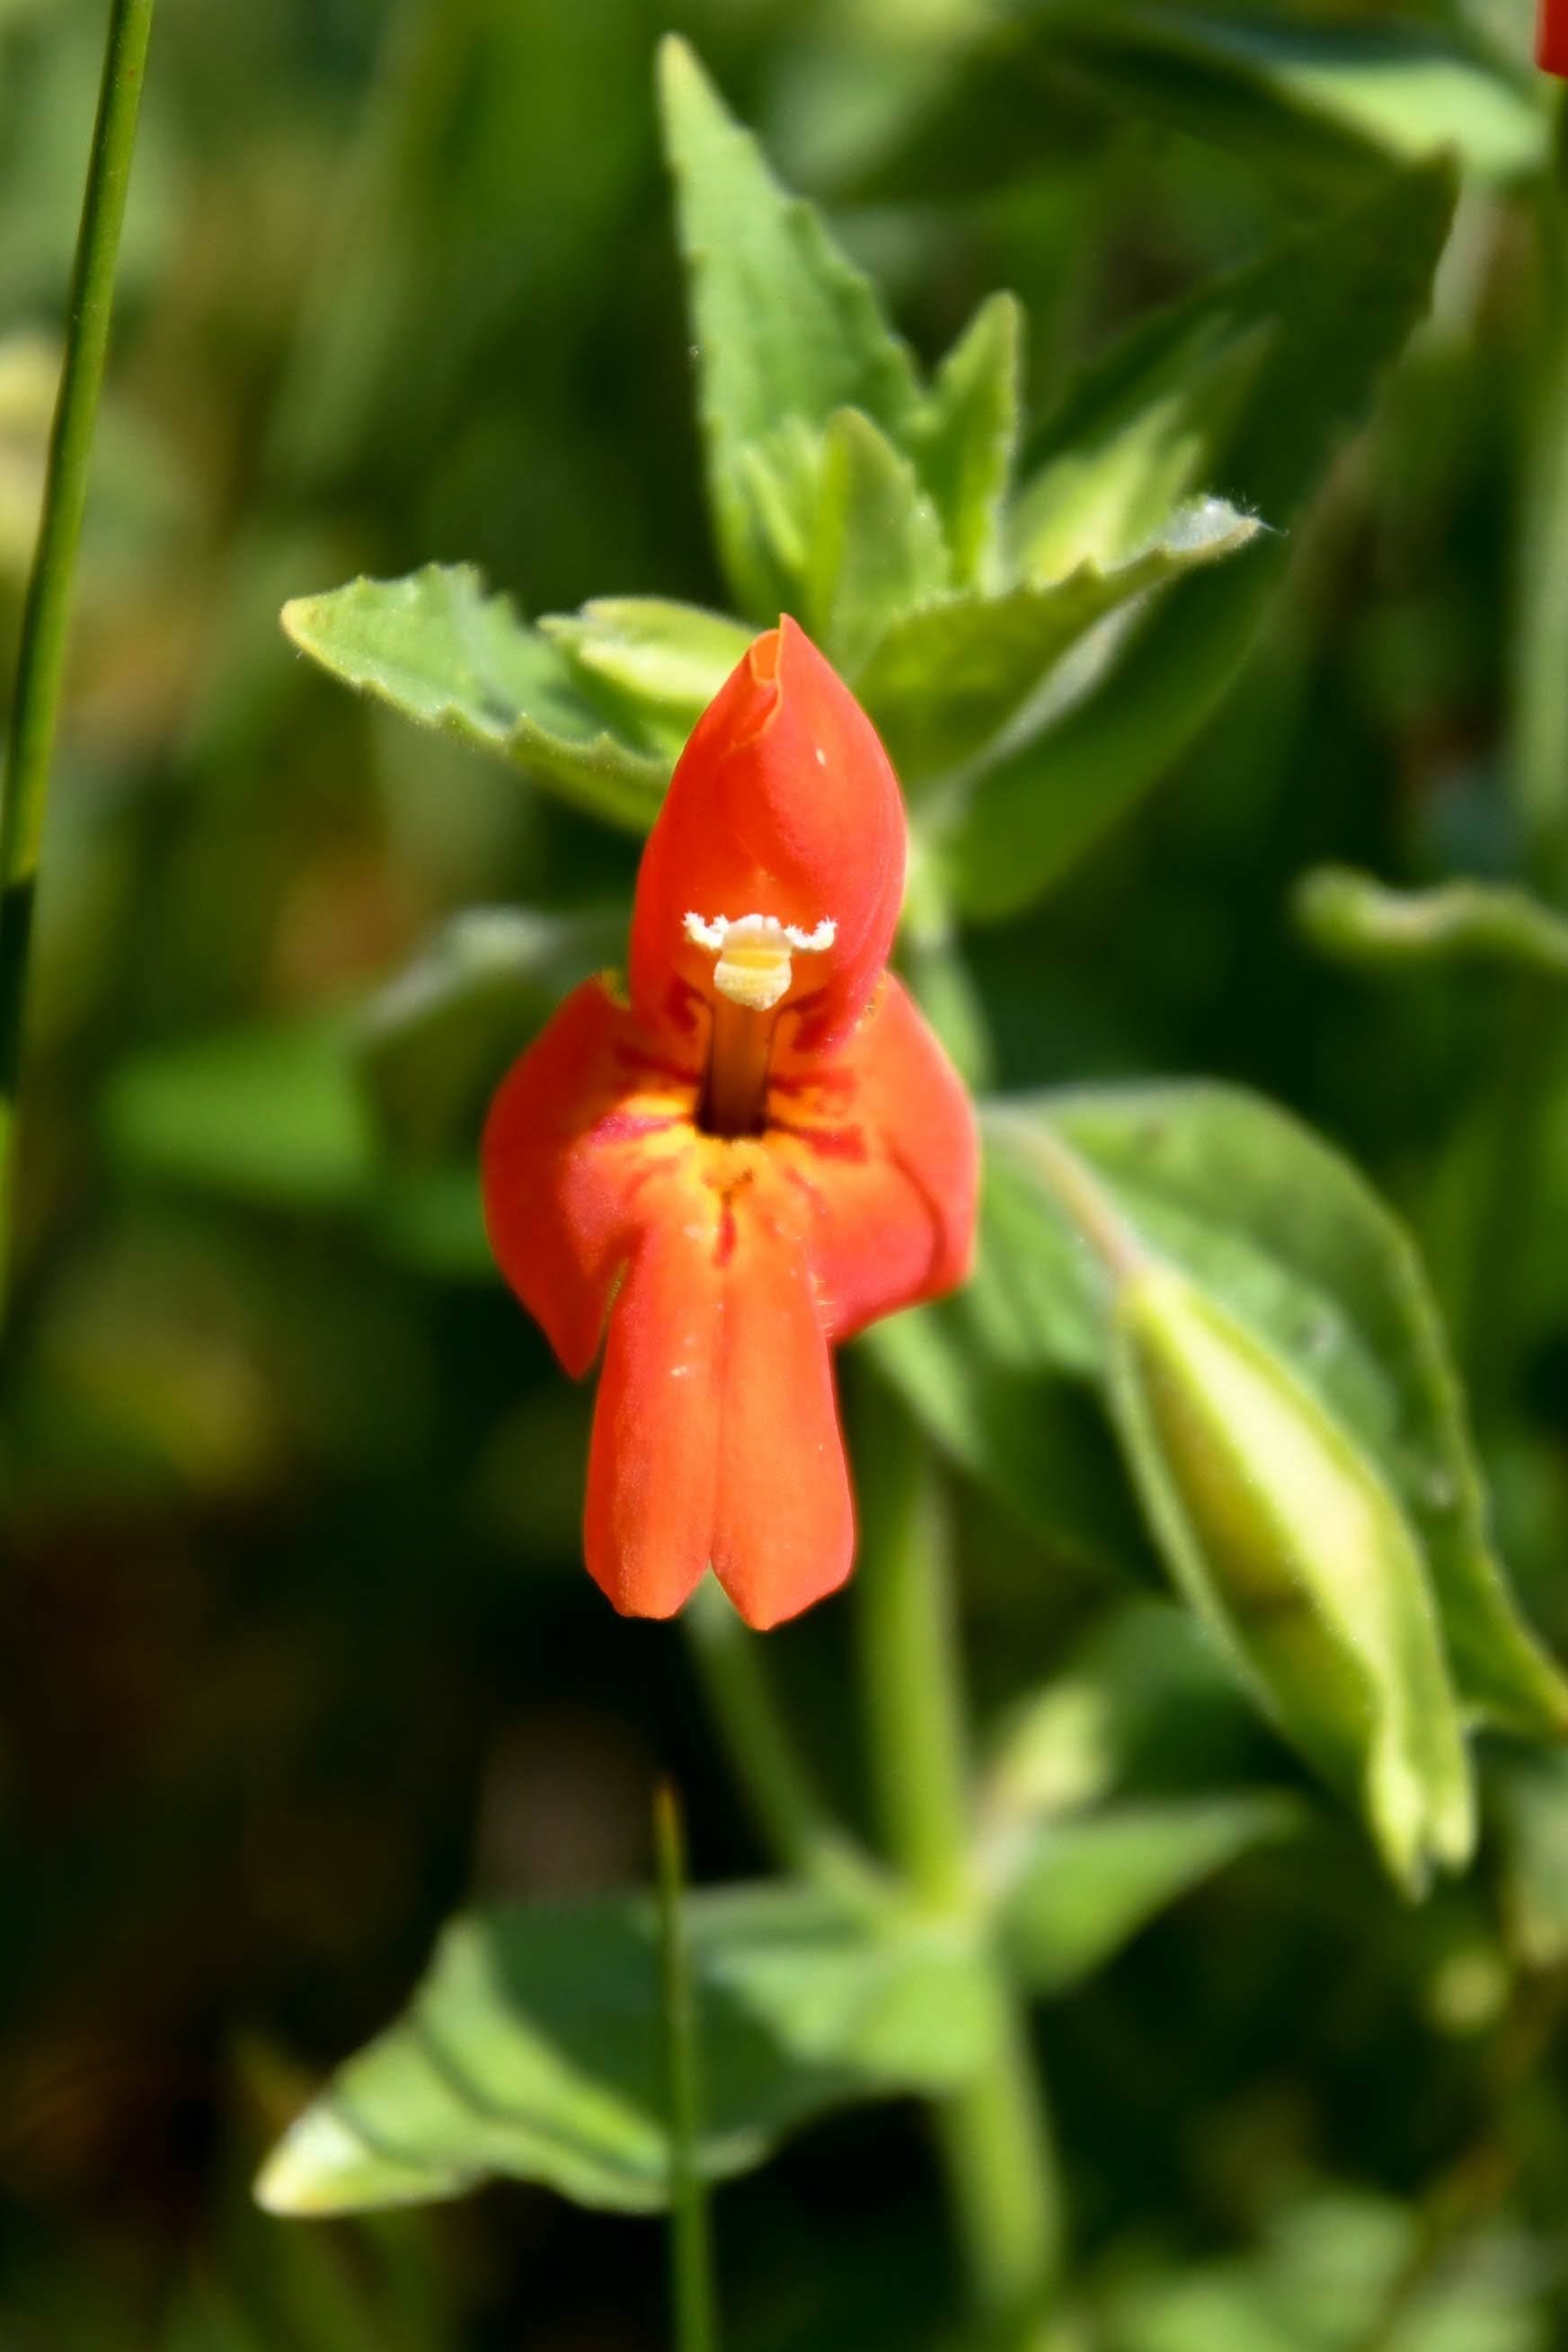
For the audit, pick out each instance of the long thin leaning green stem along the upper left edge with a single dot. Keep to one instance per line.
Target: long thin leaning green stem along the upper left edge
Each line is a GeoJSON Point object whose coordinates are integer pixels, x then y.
{"type": "Point", "coordinates": [46, 615]}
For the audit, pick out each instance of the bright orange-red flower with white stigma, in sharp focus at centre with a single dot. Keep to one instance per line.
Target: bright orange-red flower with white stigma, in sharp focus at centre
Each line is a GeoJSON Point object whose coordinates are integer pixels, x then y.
{"type": "Point", "coordinates": [746, 1158]}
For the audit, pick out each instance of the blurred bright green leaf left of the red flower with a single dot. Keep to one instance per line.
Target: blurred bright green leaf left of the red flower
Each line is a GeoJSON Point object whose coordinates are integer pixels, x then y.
{"type": "Point", "coordinates": [267, 1114]}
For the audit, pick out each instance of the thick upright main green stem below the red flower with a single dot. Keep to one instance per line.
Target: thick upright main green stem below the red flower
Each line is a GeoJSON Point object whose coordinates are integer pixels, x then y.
{"type": "Point", "coordinates": [996, 2137]}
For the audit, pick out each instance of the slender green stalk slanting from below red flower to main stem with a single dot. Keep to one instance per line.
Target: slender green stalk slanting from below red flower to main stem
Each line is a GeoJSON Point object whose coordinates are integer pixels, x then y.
{"type": "Point", "coordinates": [779, 1786]}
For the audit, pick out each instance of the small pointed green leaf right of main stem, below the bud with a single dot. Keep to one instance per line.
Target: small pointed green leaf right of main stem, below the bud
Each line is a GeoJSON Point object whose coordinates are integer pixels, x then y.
{"type": "Point", "coordinates": [1080, 1890]}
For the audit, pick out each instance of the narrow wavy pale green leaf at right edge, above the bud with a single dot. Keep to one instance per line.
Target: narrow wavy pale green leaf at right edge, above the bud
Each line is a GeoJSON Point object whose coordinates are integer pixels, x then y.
{"type": "Point", "coordinates": [1360, 921]}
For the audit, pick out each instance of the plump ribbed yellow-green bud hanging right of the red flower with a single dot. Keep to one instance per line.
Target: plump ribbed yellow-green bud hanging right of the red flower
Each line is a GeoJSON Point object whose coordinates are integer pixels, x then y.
{"type": "Point", "coordinates": [1292, 1546]}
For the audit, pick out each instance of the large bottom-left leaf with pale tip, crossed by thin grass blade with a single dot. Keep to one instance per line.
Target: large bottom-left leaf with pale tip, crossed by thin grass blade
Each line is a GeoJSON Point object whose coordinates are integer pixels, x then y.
{"type": "Point", "coordinates": [535, 2047]}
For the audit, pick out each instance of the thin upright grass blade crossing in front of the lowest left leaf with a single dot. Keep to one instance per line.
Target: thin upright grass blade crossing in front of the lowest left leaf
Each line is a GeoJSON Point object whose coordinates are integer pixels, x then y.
{"type": "Point", "coordinates": [692, 2297]}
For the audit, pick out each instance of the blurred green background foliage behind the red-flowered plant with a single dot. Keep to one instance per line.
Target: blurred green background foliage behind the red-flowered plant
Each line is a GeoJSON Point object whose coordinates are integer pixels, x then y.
{"type": "Point", "coordinates": [297, 1645]}
